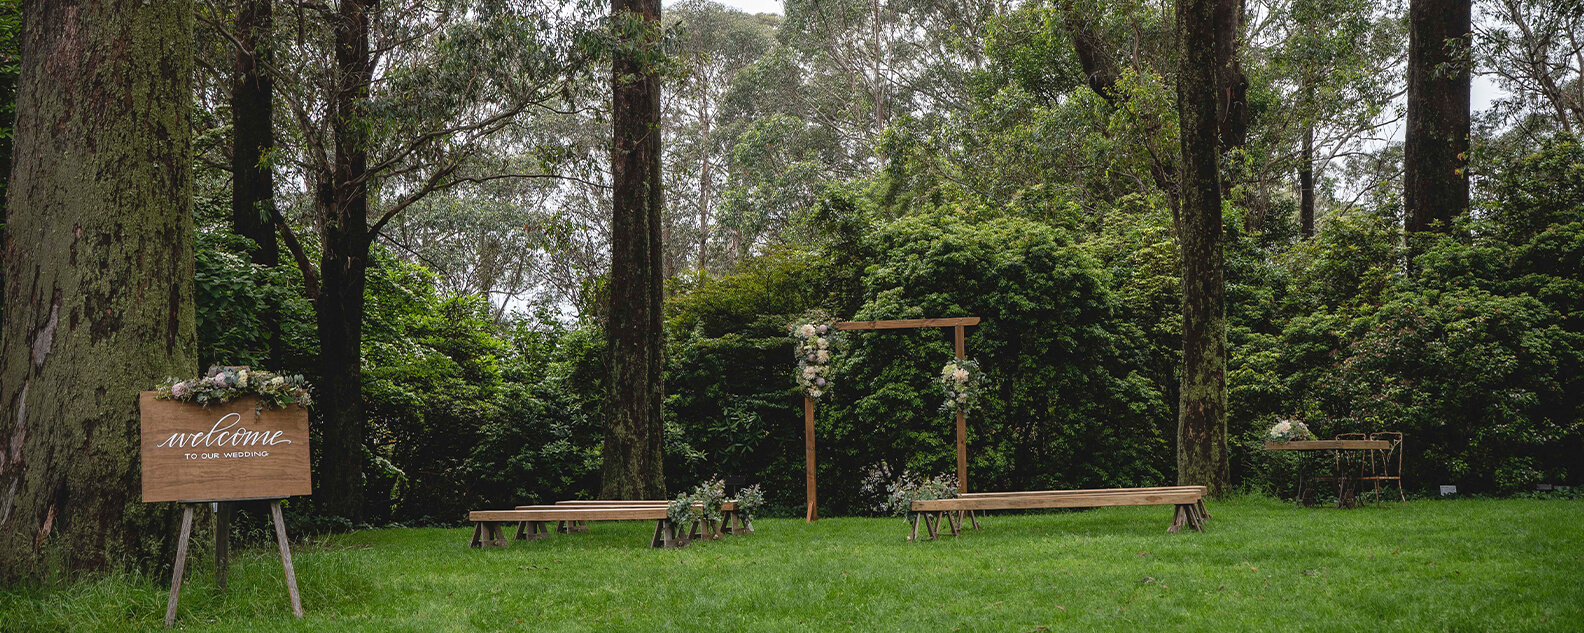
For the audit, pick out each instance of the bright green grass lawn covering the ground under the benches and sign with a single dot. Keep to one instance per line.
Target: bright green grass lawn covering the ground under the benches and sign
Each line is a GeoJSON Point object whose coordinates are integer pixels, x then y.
{"type": "Point", "coordinates": [1460, 566]}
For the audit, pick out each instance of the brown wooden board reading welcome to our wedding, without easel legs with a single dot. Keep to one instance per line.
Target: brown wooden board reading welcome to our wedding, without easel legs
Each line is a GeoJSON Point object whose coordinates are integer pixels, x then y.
{"type": "Point", "coordinates": [224, 452]}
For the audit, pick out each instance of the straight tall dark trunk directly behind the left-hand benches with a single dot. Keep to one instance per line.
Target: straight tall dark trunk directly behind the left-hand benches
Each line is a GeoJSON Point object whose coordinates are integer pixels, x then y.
{"type": "Point", "coordinates": [634, 431]}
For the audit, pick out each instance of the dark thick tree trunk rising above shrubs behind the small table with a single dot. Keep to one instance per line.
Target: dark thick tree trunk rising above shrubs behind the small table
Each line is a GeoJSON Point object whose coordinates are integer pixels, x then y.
{"type": "Point", "coordinates": [1436, 145]}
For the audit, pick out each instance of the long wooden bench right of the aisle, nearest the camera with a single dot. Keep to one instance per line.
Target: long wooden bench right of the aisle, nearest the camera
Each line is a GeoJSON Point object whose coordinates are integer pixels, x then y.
{"type": "Point", "coordinates": [1187, 499]}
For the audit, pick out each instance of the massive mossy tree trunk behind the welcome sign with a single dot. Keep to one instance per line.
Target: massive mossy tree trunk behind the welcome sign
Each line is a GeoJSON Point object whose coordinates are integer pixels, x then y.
{"type": "Point", "coordinates": [99, 295]}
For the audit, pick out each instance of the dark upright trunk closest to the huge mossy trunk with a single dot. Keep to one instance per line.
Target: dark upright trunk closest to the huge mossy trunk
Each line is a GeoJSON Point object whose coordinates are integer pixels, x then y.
{"type": "Point", "coordinates": [254, 138]}
